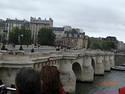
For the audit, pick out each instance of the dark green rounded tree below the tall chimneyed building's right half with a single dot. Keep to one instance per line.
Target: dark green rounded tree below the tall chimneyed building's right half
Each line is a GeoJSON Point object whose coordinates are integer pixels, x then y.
{"type": "Point", "coordinates": [46, 36]}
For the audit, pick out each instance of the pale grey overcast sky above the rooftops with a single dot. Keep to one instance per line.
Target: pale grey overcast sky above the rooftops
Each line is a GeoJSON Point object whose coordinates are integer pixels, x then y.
{"type": "Point", "coordinates": [98, 18]}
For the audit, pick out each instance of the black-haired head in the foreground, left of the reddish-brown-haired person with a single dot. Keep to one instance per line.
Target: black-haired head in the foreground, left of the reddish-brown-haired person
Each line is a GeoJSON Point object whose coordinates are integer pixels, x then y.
{"type": "Point", "coordinates": [28, 81]}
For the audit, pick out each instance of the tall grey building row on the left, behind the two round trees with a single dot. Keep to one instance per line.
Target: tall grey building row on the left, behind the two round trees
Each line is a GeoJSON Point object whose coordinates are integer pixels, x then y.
{"type": "Point", "coordinates": [34, 25]}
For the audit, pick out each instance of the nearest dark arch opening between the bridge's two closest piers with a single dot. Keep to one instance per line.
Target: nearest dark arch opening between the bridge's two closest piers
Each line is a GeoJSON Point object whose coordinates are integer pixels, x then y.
{"type": "Point", "coordinates": [76, 67]}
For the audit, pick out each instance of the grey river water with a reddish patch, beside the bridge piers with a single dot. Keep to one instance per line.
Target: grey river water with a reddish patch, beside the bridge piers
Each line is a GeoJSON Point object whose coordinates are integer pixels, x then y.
{"type": "Point", "coordinates": [107, 84]}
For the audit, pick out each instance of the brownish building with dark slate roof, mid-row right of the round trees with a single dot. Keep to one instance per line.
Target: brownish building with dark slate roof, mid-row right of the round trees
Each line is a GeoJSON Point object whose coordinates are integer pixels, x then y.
{"type": "Point", "coordinates": [75, 39]}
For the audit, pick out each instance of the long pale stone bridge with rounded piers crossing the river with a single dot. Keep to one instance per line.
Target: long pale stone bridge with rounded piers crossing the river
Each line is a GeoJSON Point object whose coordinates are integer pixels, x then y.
{"type": "Point", "coordinates": [73, 65]}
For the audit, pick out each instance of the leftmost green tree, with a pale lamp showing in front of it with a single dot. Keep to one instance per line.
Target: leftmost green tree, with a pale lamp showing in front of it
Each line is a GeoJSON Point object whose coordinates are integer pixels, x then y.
{"type": "Point", "coordinates": [20, 36]}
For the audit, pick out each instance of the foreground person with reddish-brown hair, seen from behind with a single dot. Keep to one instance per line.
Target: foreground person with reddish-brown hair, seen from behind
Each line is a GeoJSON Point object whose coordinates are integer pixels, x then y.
{"type": "Point", "coordinates": [51, 81]}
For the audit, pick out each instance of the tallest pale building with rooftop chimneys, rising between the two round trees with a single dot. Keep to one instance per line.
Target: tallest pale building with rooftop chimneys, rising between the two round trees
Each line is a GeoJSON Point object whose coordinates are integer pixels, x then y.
{"type": "Point", "coordinates": [37, 24]}
